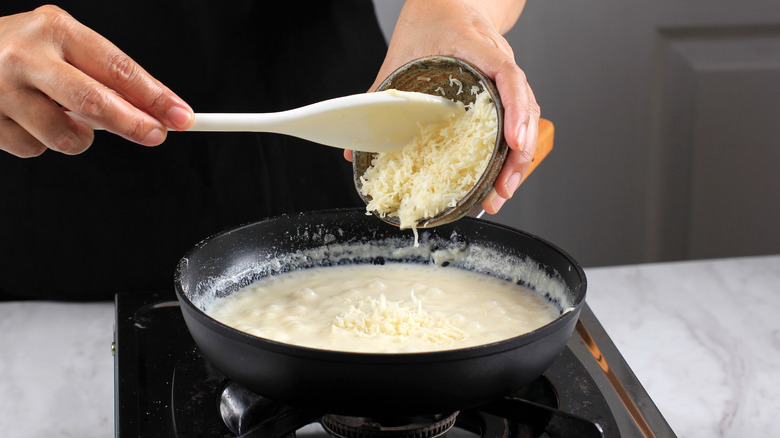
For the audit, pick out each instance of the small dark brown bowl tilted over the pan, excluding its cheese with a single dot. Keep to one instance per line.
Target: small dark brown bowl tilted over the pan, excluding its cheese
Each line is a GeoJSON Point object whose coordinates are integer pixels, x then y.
{"type": "Point", "coordinates": [431, 75]}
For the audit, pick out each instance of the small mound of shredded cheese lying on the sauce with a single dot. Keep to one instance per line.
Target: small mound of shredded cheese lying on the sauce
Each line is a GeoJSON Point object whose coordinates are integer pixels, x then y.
{"type": "Point", "coordinates": [400, 320]}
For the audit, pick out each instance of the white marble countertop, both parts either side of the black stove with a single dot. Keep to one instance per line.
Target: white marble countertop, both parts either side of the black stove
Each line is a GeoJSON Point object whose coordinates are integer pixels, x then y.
{"type": "Point", "coordinates": [701, 336]}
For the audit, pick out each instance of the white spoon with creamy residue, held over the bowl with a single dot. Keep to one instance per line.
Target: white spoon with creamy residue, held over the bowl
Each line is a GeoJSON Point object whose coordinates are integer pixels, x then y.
{"type": "Point", "coordinates": [371, 122]}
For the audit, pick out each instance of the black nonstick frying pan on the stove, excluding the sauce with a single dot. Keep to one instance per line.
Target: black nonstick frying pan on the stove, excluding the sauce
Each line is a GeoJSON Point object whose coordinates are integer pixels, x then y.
{"type": "Point", "coordinates": [375, 384]}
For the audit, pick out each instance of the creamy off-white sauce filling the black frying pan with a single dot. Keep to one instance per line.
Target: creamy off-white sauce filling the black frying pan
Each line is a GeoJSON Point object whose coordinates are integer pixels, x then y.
{"type": "Point", "coordinates": [392, 308]}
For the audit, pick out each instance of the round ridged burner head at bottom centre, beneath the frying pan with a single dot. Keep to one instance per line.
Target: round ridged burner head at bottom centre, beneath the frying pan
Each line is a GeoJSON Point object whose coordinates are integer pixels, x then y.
{"type": "Point", "coordinates": [428, 426]}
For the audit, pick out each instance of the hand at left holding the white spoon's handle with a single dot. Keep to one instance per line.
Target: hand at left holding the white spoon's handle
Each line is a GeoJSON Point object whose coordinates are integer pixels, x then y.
{"type": "Point", "coordinates": [50, 62]}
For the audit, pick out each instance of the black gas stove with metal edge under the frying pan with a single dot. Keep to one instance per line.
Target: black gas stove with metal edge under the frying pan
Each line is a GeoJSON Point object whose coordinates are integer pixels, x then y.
{"type": "Point", "coordinates": [164, 387]}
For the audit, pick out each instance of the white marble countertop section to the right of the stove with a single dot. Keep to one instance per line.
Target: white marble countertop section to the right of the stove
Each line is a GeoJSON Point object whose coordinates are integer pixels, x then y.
{"type": "Point", "coordinates": [703, 337]}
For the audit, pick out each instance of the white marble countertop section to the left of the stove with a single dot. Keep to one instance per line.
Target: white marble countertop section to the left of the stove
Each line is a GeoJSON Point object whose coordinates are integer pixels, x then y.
{"type": "Point", "coordinates": [56, 370]}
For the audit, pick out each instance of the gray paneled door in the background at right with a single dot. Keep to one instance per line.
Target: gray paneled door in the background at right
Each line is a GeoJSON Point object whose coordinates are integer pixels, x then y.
{"type": "Point", "coordinates": [667, 116]}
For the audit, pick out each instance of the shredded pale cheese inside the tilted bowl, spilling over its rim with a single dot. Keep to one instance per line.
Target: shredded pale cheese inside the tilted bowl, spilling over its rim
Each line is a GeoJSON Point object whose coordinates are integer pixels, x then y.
{"type": "Point", "coordinates": [436, 169]}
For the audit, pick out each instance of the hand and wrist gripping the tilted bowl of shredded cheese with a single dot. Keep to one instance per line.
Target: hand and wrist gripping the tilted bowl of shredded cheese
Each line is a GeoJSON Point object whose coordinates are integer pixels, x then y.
{"type": "Point", "coordinates": [472, 30]}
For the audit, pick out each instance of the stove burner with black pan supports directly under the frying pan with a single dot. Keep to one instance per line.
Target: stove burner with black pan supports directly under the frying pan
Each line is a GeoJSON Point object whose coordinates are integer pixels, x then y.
{"type": "Point", "coordinates": [249, 415]}
